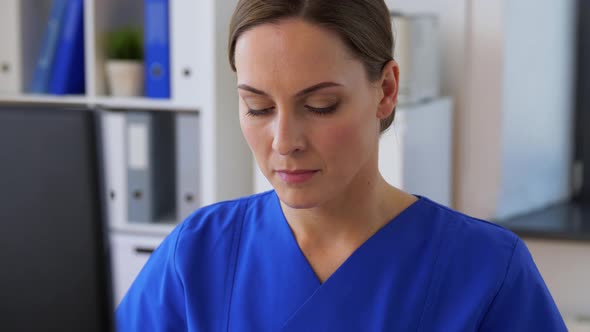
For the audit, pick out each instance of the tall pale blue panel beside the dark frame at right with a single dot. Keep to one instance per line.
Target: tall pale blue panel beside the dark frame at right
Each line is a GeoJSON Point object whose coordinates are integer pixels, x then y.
{"type": "Point", "coordinates": [537, 108]}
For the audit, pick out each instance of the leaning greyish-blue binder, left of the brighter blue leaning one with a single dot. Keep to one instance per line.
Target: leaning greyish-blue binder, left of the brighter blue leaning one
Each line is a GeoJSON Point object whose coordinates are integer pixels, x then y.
{"type": "Point", "coordinates": [40, 83]}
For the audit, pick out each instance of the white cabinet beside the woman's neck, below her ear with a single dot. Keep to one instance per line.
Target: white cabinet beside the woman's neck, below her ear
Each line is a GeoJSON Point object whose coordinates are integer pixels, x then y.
{"type": "Point", "coordinates": [416, 154]}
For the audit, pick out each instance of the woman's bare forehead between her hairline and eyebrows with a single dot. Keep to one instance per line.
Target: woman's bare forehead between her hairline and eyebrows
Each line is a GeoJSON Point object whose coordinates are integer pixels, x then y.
{"type": "Point", "coordinates": [294, 51]}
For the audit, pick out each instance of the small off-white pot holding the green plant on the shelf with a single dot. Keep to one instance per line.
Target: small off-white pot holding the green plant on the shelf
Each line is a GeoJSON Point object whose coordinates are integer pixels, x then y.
{"type": "Point", "coordinates": [125, 78]}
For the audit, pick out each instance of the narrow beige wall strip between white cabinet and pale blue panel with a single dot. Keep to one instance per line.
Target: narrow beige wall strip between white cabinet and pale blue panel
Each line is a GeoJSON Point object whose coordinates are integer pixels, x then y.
{"type": "Point", "coordinates": [478, 141]}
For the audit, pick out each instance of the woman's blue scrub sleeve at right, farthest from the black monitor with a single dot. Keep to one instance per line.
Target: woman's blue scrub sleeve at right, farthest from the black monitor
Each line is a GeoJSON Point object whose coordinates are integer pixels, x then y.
{"type": "Point", "coordinates": [523, 302]}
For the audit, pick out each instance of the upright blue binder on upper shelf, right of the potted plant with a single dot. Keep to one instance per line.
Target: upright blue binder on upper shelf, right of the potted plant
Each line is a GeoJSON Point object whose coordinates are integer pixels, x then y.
{"type": "Point", "coordinates": [157, 49]}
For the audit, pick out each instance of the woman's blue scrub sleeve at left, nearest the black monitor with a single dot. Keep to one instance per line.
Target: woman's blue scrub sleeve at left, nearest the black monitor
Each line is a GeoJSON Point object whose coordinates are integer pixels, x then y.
{"type": "Point", "coordinates": [155, 300]}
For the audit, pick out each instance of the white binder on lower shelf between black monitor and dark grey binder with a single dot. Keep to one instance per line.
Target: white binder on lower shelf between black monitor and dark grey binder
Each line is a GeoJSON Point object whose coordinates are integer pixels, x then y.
{"type": "Point", "coordinates": [115, 166]}
